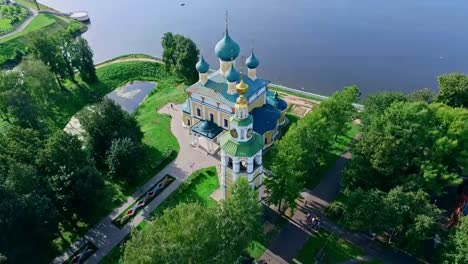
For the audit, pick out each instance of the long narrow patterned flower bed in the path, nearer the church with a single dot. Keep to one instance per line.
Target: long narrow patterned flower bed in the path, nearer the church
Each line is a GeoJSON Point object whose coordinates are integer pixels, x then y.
{"type": "Point", "coordinates": [144, 200]}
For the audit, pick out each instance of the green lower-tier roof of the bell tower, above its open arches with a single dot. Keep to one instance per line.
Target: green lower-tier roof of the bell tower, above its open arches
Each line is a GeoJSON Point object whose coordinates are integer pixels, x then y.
{"type": "Point", "coordinates": [241, 149]}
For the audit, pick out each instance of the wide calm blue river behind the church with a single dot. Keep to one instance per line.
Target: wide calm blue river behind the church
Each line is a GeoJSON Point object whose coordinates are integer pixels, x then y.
{"type": "Point", "coordinates": [316, 45]}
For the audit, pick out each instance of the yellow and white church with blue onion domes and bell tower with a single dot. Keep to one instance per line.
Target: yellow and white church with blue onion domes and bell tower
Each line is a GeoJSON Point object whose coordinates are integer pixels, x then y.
{"type": "Point", "coordinates": [235, 114]}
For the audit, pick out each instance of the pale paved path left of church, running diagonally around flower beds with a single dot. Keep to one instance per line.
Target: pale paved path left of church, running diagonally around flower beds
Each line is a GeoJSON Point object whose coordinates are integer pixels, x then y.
{"type": "Point", "coordinates": [106, 235]}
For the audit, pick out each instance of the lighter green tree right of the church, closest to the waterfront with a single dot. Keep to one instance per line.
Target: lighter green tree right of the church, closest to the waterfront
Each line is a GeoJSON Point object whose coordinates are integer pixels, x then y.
{"type": "Point", "coordinates": [339, 110]}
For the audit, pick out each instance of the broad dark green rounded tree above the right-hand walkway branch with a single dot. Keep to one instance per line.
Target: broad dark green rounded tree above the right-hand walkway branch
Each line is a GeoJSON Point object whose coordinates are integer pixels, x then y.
{"type": "Point", "coordinates": [409, 217]}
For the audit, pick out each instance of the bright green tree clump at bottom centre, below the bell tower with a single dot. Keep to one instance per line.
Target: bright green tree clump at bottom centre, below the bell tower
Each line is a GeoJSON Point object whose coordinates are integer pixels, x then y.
{"type": "Point", "coordinates": [191, 233]}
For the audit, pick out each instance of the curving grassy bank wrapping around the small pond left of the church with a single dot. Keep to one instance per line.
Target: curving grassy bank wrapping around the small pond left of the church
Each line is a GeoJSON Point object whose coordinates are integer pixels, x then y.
{"type": "Point", "coordinates": [159, 142]}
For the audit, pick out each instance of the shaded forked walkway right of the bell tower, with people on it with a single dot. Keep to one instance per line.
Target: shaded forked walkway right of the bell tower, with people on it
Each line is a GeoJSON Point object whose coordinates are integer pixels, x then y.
{"type": "Point", "coordinates": [289, 241]}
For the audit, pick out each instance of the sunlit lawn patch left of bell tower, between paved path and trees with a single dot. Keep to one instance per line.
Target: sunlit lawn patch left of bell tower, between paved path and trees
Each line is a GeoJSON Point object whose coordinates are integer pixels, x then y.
{"type": "Point", "coordinates": [197, 188]}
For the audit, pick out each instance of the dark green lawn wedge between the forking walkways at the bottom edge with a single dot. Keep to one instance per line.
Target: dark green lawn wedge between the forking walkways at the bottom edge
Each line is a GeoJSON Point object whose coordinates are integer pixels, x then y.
{"type": "Point", "coordinates": [336, 249]}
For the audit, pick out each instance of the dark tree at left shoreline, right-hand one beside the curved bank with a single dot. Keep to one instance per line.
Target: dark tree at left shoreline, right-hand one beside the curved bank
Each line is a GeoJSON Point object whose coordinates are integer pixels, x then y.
{"type": "Point", "coordinates": [82, 60]}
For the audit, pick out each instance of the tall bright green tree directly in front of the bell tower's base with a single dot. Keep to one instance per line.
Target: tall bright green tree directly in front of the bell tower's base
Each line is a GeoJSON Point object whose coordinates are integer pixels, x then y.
{"type": "Point", "coordinates": [239, 221]}
